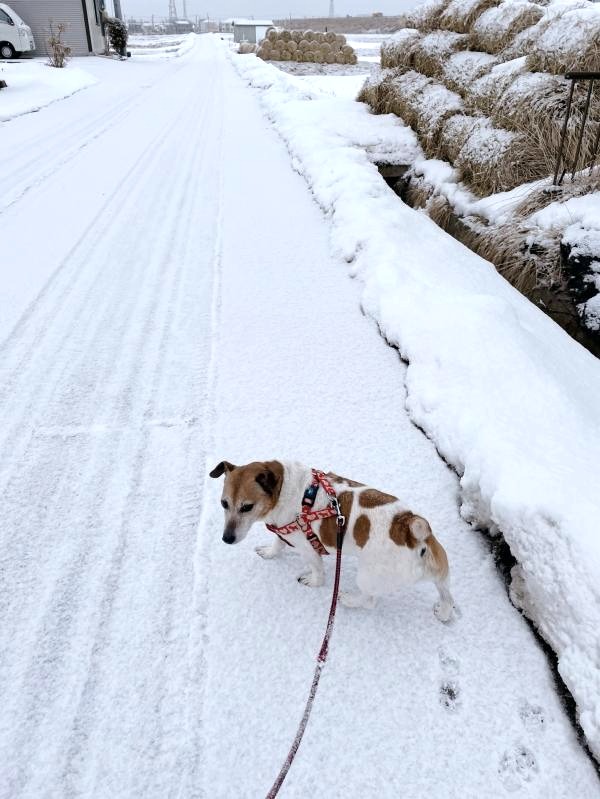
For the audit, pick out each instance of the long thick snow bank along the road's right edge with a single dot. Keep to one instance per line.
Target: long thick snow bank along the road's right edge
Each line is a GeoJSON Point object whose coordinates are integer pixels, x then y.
{"type": "Point", "coordinates": [510, 400]}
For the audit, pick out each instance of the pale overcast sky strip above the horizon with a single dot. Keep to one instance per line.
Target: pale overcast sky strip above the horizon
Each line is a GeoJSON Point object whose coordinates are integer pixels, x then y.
{"type": "Point", "coordinates": [270, 9]}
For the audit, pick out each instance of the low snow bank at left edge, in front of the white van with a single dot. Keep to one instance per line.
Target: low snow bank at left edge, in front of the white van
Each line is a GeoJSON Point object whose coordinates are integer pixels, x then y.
{"type": "Point", "coordinates": [33, 85]}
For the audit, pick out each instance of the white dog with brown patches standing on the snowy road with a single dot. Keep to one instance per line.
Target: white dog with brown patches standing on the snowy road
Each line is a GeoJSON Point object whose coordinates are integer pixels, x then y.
{"type": "Point", "coordinates": [394, 546]}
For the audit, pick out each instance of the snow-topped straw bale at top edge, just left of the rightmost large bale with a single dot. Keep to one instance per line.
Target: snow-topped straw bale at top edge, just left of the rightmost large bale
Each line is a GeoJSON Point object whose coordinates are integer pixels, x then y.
{"type": "Point", "coordinates": [495, 29]}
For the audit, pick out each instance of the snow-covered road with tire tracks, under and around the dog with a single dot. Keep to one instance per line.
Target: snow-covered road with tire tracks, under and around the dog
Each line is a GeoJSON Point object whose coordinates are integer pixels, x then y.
{"type": "Point", "coordinates": [178, 305]}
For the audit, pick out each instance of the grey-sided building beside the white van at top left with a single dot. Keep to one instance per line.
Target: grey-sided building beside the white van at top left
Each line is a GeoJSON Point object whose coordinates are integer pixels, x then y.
{"type": "Point", "coordinates": [84, 33]}
